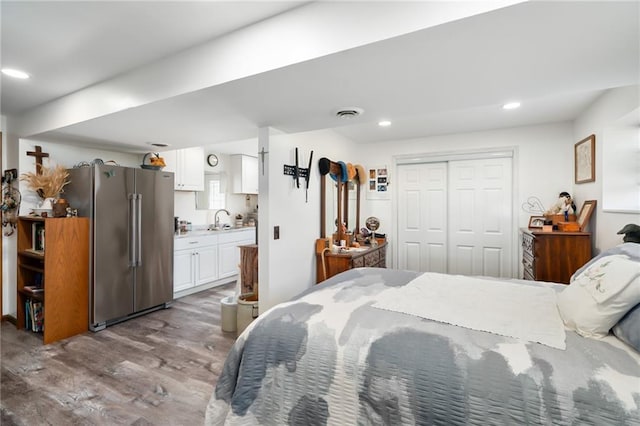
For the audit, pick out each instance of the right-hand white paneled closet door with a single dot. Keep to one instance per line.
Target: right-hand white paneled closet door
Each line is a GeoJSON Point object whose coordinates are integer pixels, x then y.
{"type": "Point", "coordinates": [480, 217]}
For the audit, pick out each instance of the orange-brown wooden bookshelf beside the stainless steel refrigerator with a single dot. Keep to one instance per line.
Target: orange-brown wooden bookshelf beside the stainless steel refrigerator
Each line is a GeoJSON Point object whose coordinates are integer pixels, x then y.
{"type": "Point", "coordinates": [61, 269]}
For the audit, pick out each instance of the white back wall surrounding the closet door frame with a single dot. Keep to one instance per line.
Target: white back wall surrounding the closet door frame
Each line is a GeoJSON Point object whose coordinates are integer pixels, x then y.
{"type": "Point", "coordinates": [542, 165]}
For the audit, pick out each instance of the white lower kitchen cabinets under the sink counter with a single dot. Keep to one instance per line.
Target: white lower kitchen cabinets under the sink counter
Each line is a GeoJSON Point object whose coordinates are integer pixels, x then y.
{"type": "Point", "coordinates": [199, 261]}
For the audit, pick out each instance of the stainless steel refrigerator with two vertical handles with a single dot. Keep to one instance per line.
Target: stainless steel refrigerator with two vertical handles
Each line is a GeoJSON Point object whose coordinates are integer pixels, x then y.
{"type": "Point", "coordinates": [131, 211]}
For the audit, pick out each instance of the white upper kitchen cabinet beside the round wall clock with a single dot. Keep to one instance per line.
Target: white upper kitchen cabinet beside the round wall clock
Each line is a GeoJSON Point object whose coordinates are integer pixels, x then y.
{"type": "Point", "coordinates": [188, 166]}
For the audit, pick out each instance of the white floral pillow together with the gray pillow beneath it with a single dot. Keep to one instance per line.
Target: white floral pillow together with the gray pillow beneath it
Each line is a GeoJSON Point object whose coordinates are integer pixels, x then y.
{"type": "Point", "coordinates": [605, 293]}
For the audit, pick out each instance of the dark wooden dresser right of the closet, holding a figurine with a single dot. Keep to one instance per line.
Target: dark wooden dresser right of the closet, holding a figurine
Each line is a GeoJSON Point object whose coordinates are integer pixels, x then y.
{"type": "Point", "coordinates": [554, 256]}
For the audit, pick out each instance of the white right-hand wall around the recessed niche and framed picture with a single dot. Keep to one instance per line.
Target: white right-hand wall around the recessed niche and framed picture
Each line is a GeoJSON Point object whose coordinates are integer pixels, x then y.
{"type": "Point", "coordinates": [604, 112]}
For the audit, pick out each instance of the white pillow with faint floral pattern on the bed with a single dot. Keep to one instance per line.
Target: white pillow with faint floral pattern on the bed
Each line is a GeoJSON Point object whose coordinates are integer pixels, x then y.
{"type": "Point", "coordinates": [601, 295]}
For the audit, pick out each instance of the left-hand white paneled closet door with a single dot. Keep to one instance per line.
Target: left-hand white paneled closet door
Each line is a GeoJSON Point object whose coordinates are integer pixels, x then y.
{"type": "Point", "coordinates": [422, 217]}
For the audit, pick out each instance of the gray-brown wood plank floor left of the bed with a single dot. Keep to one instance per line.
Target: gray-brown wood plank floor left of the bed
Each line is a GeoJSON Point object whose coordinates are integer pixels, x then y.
{"type": "Point", "coordinates": [158, 369]}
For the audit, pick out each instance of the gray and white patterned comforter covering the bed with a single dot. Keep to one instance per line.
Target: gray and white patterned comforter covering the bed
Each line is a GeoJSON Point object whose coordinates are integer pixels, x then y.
{"type": "Point", "coordinates": [329, 357]}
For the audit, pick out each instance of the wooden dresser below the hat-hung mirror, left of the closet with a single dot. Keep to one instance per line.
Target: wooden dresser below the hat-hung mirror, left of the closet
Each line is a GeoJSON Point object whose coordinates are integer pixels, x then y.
{"type": "Point", "coordinates": [373, 257]}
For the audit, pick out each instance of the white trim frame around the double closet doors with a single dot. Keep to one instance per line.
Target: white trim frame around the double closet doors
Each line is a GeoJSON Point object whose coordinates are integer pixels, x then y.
{"type": "Point", "coordinates": [446, 156]}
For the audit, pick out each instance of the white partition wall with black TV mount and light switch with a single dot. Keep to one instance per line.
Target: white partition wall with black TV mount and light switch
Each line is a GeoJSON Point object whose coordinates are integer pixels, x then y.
{"type": "Point", "coordinates": [287, 265]}
